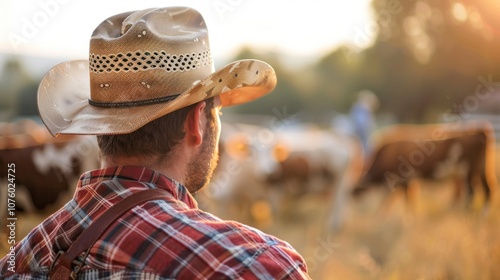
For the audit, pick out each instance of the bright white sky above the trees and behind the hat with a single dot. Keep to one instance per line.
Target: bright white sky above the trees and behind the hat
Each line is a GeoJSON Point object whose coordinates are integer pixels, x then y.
{"type": "Point", "coordinates": [304, 28]}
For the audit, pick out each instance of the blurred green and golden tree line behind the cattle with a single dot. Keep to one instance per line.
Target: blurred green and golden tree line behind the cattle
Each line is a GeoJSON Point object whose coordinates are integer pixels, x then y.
{"type": "Point", "coordinates": [427, 58]}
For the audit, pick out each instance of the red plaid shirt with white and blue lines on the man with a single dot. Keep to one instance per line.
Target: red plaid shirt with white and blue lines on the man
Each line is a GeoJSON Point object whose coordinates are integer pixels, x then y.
{"type": "Point", "coordinates": [161, 239]}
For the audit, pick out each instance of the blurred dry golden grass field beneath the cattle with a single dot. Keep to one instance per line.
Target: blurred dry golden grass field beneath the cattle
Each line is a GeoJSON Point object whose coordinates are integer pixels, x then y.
{"type": "Point", "coordinates": [432, 239]}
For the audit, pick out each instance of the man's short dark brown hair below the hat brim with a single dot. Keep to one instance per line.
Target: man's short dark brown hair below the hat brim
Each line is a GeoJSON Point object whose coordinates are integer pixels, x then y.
{"type": "Point", "coordinates": [158, 137]}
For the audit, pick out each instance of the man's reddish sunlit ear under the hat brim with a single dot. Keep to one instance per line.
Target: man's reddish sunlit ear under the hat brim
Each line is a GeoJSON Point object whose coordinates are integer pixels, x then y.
{"type": "Point", "coordinates": [194, 125]}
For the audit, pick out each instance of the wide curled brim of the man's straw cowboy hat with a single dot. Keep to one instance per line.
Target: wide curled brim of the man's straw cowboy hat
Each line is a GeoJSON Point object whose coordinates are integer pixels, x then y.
{"type": "Point", "coordinates": [64, 91]}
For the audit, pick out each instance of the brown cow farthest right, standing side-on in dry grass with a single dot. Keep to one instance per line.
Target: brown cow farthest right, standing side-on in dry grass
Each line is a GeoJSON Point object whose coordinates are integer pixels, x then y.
{"type": "Point", "coordinates": [432, 152]}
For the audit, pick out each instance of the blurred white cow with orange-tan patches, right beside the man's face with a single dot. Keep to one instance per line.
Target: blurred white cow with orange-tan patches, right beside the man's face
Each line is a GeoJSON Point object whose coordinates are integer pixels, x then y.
{"type": "Point", "coordinates": [237, 189]}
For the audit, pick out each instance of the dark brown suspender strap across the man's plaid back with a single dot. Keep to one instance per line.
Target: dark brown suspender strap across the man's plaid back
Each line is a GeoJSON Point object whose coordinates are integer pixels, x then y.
{"type": "Point", "coordinates": [62, 266]}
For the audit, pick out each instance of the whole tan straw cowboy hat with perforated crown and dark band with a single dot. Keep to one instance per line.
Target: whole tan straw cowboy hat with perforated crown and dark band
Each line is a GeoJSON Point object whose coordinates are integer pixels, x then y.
{"type": "Point", "coordinates": [144, 65]}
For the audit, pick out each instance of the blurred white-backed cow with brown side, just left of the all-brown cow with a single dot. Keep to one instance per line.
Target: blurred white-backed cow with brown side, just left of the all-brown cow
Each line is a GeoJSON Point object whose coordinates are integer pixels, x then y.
{"type": "Point", "coordinates": [320, 162]}
